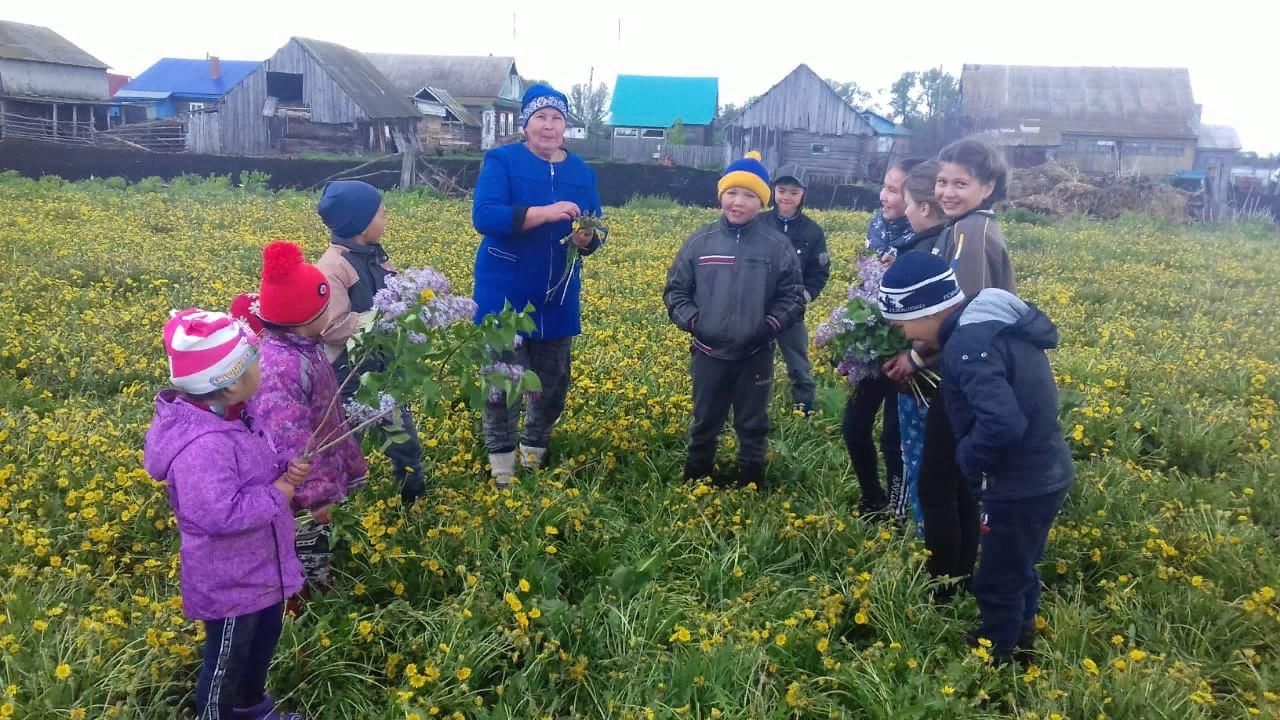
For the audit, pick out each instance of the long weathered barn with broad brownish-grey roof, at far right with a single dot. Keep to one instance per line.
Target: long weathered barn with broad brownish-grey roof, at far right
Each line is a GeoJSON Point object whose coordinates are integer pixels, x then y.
{"type": "Point", "coordinates": [1098, 120]}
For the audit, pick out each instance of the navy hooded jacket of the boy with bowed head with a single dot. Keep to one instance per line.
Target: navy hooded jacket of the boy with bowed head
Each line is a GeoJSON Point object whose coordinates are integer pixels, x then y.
{"type": "Point", "coordinates": [1002, 398]}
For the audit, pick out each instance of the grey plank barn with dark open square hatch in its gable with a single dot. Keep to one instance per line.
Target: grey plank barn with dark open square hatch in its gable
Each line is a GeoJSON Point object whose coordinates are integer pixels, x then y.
{"type": "Point", "coordinates": [310, 97]}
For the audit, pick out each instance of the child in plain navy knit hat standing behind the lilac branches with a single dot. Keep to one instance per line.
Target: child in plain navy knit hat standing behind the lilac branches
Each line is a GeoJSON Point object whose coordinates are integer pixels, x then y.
{"type": "Point", "coordinates": [358, 267]}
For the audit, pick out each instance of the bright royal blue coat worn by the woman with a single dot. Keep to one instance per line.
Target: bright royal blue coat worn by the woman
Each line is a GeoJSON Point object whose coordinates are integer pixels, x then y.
{"type": "Point", "coordinates": [531, 267]}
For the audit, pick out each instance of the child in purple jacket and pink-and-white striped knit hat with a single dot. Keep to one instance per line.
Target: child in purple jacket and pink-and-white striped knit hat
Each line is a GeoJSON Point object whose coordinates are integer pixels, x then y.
{"type": "Point", "coordinates": [231, 495]}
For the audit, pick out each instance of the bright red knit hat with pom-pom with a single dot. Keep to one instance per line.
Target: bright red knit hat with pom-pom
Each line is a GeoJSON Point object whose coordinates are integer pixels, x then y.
{"type": "Point", "coordinates": [294, 293]}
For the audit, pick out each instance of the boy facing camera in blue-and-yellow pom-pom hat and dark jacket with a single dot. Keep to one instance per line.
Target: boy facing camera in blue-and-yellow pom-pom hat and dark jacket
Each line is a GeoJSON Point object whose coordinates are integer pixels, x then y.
{"type": "Point", "coordinates": [735, 288]}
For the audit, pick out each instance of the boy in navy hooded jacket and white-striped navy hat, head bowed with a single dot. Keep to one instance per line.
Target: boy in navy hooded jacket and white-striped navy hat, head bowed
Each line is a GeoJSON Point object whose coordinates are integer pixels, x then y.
{"type": "Point", "coordinates": [1002, 402]}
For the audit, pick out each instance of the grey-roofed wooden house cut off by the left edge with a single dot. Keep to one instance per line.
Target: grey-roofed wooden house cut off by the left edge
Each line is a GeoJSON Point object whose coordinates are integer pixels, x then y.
{"type": "Point", "coordinates": [49, 88]}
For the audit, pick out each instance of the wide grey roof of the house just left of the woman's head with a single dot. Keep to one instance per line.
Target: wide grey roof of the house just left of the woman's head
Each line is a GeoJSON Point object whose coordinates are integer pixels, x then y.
{"type": "Point", "coordinates": [472, 78]}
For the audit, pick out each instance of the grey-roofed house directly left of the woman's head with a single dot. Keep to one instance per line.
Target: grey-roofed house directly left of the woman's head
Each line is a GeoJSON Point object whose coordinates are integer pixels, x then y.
{"type": "Point", "coordinates": [484, 93]}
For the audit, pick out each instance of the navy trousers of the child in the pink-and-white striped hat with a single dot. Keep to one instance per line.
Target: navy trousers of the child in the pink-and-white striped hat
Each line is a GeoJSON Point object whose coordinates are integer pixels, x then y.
{"type": "Point", "coordinates": [237, 654]}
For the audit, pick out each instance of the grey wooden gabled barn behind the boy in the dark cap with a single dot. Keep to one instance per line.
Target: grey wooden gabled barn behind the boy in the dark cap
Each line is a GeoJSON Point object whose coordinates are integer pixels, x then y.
{"type": "Point", "coordinates": [803, 121]}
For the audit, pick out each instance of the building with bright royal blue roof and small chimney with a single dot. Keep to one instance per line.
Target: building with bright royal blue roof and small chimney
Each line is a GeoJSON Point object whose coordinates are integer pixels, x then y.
{"type": "Point", "coordinates": [176, 86]}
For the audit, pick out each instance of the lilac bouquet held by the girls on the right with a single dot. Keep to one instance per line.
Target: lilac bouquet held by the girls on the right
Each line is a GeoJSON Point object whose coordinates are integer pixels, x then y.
{"type": "Point", "coordinates": [858, 336]}
